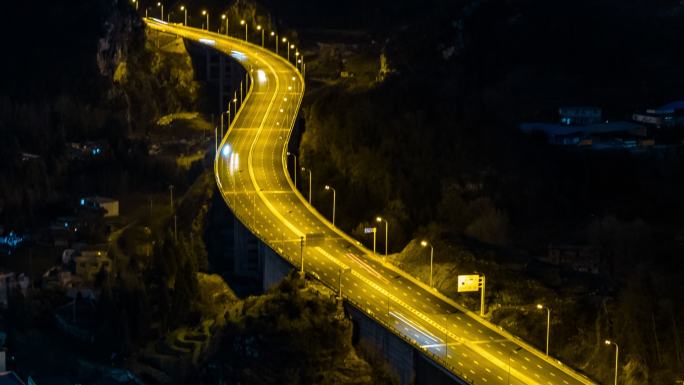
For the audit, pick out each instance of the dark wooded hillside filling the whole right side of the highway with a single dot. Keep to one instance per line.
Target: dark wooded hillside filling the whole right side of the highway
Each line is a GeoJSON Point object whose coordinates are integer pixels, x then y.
{"type": "Point", "coordinates": [435, 148]}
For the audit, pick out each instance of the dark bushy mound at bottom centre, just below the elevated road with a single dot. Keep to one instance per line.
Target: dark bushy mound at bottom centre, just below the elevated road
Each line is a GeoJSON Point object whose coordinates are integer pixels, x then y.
{"type": "Point", "coordinates": [293, 335]}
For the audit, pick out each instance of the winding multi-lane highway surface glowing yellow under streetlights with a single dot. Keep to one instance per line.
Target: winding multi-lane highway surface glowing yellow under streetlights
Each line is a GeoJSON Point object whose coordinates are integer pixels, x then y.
{"type": "Point", "coordinates": [251, 171]}
